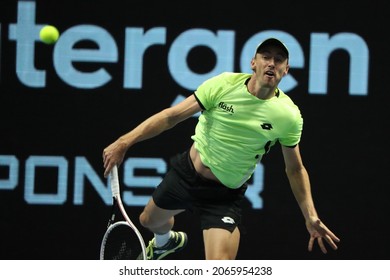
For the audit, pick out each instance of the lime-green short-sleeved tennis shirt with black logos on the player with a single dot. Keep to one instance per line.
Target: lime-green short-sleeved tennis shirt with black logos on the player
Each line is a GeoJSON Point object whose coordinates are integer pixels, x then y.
{"type": "Point", "coordinates": [236, 128]}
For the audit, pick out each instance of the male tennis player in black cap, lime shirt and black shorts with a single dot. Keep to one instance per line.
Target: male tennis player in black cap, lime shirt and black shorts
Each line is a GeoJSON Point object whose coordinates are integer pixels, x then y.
{"type": "Point", "coordinates": [242, 117]}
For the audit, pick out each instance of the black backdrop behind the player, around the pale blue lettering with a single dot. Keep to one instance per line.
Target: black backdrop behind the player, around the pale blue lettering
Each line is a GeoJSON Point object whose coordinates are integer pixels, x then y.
{"type": "Point", "coordinates": [342, 144]}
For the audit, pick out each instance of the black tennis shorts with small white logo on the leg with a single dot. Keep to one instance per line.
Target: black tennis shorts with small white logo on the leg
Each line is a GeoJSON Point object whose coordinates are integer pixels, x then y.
{"type": "Point", "coordinates": [182, 188]}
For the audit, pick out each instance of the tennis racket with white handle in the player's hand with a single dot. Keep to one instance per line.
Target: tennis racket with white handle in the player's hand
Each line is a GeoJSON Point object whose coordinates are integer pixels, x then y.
{"type": "Point", "coordinates": [122, 240]}
